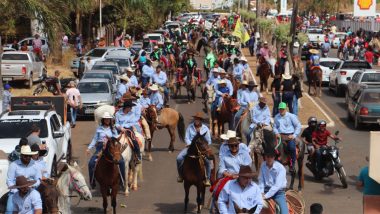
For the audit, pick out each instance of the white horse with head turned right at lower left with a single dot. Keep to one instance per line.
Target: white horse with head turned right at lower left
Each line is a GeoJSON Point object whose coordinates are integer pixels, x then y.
{"type": "Point", "coordinates": [71, 180]}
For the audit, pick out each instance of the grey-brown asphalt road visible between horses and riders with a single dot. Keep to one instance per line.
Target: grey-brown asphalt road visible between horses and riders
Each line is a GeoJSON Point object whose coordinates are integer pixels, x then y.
{"type": "Point", "coordinates": [160, 193]}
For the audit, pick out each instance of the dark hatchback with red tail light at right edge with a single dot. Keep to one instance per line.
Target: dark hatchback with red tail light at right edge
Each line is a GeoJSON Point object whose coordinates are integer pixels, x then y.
{"type": "Point", "coordinates": [364, 107]}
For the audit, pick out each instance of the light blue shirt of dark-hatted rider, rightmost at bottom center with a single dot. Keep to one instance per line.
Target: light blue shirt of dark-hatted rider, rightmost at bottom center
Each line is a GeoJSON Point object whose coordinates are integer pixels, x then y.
{"type": "Point", "coordinates": [273, 178]}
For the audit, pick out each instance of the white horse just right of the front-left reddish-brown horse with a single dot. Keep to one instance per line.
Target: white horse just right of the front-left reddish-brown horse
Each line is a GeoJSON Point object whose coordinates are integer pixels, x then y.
{"type": "Point", "coordinates": [132, 170]}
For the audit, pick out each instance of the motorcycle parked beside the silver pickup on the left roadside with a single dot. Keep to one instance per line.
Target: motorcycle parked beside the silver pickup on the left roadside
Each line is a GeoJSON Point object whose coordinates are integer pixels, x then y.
{"type": "Point", "coordinates": [49, 83]}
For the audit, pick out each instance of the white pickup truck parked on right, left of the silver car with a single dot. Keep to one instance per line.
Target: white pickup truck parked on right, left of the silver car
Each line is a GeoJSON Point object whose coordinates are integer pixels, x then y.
{"type": "Point", "coordinates": [338, 77]}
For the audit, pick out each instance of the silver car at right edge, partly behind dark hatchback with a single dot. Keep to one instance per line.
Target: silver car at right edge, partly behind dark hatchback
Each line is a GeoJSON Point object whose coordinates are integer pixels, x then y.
{"type": "Point", "coordinates": [370, 78]}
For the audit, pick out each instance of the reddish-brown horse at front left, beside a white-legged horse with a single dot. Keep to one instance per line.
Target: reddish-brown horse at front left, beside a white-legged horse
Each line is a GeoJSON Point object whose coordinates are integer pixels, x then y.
{"type": "Point", "coordinates": [107, 172]}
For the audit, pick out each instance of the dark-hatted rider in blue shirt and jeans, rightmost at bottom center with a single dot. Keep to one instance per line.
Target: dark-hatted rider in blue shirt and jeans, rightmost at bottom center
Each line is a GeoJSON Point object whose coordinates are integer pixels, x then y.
{"type": "Point", "coordinates": [272, 180]}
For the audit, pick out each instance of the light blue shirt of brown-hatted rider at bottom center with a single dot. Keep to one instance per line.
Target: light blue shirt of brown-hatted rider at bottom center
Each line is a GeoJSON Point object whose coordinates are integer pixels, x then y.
{"type": "Point", "coordinates": [248, 198]}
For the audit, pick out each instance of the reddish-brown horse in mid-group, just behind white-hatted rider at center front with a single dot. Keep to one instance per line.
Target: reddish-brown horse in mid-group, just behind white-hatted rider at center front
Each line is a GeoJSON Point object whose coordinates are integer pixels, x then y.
{"type": "Point", "coordinates": [226, 114]}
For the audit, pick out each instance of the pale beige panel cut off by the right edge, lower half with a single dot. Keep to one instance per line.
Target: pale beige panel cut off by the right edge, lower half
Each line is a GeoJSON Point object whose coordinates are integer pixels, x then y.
{"type": "Point", "coordinates": [374, 157]}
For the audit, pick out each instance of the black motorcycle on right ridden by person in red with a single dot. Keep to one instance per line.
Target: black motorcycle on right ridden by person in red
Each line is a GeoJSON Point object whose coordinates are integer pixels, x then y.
{"type": "Point", "coordinates": [330, 162]}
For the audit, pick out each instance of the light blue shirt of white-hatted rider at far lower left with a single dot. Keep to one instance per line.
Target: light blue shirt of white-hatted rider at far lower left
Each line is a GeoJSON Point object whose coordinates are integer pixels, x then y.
{"type": "Point", "coordinates": [30, 171]}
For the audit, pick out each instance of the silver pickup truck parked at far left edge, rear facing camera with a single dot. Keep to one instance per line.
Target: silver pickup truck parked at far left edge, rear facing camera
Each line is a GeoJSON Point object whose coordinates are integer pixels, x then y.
{"type": "Point", "coordinates": [22, 66]}
